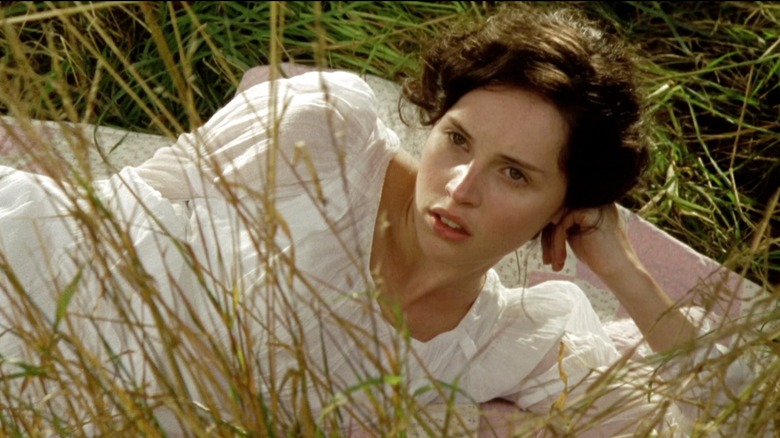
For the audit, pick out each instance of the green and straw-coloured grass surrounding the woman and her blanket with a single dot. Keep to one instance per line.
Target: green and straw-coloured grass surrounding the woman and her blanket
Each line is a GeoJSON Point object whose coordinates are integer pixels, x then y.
{"type": "Point", "coordinates": [710, 70]}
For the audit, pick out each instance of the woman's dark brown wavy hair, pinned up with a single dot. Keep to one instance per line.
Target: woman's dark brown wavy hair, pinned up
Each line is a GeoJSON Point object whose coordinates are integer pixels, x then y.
{"type": "Point", "coordinates": [587, 73]}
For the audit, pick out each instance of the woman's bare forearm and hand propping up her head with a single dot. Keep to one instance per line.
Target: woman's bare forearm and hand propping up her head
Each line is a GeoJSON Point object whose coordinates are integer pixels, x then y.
{"type": "Point", "coordinates": [598, 238]}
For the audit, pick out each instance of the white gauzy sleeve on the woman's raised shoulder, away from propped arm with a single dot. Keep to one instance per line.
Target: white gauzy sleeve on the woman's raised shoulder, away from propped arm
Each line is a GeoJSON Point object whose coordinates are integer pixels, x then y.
{"type": "Point", "coordinates": [302, 128]}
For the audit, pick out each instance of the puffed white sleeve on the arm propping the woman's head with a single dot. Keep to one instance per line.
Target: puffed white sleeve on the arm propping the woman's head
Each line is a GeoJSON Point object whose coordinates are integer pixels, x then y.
{"type": "Point", "coordinates": [523, 344]}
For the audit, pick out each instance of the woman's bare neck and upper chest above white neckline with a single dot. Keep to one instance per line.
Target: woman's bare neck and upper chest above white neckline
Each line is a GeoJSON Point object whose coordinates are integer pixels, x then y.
{"type": "Point", "coordinates": [431, 297]}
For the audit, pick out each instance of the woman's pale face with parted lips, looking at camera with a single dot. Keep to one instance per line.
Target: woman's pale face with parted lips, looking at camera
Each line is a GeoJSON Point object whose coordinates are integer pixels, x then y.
{"type": "Point", "coordinates": [489, 178]}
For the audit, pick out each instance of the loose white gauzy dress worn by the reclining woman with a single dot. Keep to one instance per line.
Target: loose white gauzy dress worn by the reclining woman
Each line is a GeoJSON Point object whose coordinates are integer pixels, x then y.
{"type": "Point", "coordinates": [262, 291]}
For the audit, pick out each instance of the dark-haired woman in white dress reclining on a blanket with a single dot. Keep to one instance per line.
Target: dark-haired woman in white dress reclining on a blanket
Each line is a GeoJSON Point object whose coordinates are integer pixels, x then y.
{"type": "Point", "coordinates": [289, 257]}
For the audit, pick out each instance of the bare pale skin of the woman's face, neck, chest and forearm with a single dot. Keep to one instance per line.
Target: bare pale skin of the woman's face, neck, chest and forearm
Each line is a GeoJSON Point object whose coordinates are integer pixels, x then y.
{"type": "Point", "coordinates": [489, 180]}
